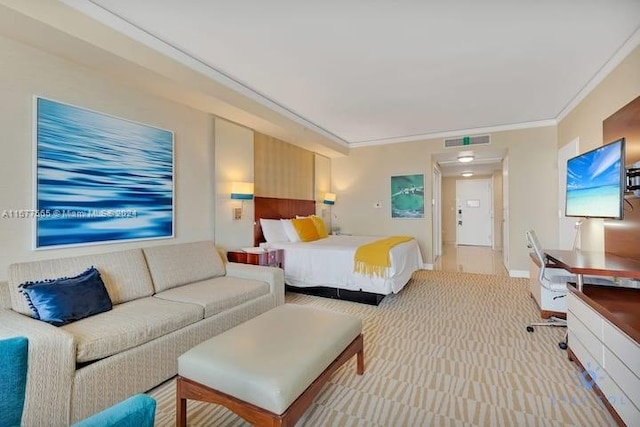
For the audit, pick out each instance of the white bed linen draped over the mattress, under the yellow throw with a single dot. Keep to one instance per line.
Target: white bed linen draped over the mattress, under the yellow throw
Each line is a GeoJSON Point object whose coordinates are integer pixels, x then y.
{"type": "Point", "coordinates": [329, 262]}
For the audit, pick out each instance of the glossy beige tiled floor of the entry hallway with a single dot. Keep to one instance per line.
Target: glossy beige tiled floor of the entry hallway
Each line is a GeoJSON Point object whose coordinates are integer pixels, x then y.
{"type": "Point", "coordinates": [471, 259]}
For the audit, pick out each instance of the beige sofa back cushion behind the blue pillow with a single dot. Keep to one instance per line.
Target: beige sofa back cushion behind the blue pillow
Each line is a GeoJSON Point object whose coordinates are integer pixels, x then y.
{"type": "Point", "coordinates": [124, 273]}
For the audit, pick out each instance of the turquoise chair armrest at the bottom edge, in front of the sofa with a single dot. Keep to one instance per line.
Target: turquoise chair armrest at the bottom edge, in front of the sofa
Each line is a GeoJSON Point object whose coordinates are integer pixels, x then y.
{"type": "Point", "coordinates": [138, 410]}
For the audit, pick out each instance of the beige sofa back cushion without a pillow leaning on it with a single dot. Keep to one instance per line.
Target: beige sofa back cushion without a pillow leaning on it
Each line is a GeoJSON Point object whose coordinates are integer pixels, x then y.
{"type": "Point", "coordinates": [179, 264]}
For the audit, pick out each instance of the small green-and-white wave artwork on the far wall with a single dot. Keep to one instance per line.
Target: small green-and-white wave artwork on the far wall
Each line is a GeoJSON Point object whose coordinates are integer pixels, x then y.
{"type": "Point", "coordinates": [407, 196]}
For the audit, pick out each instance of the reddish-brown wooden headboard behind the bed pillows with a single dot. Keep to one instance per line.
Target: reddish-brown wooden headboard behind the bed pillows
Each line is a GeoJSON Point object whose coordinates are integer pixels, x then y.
{"type": "Point", "coordinates": [274, 208]}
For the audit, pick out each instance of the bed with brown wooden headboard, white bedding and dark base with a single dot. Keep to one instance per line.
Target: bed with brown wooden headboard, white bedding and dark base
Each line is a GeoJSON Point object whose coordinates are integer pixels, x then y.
{"type": "Point", "coordinates": [325, 267]}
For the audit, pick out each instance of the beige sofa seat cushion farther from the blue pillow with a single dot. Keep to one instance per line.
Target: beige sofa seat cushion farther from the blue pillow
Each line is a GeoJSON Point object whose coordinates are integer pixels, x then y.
{"type": "Point", "coordinates": [218, 294]}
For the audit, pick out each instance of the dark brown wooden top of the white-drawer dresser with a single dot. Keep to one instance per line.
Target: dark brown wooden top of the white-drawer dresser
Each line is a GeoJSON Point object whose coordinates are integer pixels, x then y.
{"type": "Point", "coordinates": [620, 306]}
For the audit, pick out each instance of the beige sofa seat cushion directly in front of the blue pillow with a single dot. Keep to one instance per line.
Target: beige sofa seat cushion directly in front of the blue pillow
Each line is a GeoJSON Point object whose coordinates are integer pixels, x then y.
{"type": "Point", "coordinates": [129, 325]}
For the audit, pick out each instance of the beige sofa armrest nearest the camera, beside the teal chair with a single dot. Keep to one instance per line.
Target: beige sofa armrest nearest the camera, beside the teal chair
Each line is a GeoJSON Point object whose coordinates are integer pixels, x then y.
{"type": "Point", "coordinates": [51, 368]}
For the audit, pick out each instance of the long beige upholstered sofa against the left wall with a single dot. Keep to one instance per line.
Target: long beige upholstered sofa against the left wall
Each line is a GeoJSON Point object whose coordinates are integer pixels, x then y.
{"type": "Point", "coordinates": [166, 299]}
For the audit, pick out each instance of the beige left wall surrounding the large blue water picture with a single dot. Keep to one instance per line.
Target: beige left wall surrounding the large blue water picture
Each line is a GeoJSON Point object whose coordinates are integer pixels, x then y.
{"type": "Point", "coordinates": [26, 72]}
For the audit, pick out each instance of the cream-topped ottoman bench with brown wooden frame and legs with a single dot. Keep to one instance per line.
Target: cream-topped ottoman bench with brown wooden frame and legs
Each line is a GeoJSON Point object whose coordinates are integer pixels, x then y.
{"type": "Point", "coordinates": [269, 369]}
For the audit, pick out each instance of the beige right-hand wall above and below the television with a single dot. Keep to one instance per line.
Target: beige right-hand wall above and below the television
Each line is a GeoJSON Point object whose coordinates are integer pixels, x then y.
{"type": "Point", "coordinates": [620, 87]}
